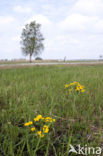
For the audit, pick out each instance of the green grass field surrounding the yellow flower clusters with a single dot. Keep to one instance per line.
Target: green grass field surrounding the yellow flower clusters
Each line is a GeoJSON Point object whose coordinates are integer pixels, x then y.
{"type": "Point", "coordinates": [30, 91]}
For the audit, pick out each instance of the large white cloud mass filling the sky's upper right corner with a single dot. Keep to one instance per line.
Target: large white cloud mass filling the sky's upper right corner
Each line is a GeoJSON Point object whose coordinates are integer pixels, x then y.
{"type": "Point", "coordinates": [86, 16]}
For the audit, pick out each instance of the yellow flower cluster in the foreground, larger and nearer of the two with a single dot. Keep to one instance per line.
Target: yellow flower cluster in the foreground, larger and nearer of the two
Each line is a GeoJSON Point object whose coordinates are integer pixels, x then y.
{"type": "Point", "coordinates": [40, 125]}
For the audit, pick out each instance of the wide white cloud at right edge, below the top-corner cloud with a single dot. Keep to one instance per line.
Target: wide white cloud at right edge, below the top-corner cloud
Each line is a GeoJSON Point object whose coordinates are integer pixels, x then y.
{"type": "Point", "coordinates": [82, 24]}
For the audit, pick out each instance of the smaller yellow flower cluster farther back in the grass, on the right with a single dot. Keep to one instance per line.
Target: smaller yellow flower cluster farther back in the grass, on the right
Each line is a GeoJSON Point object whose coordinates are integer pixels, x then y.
{"type": "Point", "coordinates": [75, 86]}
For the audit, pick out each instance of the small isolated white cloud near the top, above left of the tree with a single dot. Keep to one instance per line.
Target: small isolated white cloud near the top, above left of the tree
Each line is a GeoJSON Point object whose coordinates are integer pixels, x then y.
{"type": "Point", "coordinates": [23, 9]}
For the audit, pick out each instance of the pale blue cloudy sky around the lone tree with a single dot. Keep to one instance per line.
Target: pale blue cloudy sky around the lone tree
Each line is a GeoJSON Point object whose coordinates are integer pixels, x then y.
{"type": "Point", "coordinates": [71, 28]}
